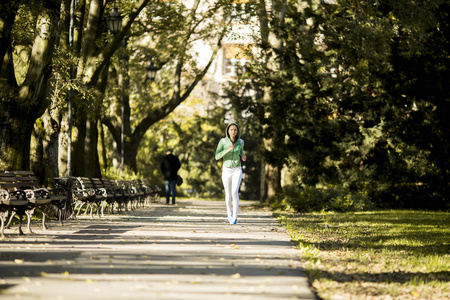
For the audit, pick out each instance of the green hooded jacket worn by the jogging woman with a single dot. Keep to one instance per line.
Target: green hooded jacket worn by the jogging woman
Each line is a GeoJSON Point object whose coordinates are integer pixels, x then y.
{"type": "Point", "coordinates": [231, 159]}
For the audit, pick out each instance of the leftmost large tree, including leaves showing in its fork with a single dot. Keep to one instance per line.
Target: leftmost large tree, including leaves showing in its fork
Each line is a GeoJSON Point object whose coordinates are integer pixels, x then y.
{"type": "Point", "coordinates": [24, 88]}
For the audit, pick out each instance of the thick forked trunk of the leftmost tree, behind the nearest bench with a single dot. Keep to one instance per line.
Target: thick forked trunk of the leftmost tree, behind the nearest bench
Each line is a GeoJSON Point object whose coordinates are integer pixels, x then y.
{"type": "Point", "coordinates": [21, 105]}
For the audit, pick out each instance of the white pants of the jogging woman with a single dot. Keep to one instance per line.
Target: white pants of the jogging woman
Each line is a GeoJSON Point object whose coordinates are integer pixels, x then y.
{"type": "Point", "coordinates": [231, 178]}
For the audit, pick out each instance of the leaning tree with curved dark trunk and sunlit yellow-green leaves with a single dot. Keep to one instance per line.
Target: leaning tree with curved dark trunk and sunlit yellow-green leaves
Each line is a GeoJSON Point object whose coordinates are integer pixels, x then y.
{"type": "Point", "coordinates": [178, 27]}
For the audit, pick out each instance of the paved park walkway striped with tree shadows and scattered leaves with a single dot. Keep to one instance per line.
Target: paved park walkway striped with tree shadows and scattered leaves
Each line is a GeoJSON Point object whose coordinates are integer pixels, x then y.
{"type": "Point", "coordinates": [187, 251]}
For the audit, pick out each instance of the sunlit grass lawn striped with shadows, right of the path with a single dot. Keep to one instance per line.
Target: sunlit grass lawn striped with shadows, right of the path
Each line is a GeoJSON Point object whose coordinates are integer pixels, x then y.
{"type": "Point", "coordinates": [374, 255]}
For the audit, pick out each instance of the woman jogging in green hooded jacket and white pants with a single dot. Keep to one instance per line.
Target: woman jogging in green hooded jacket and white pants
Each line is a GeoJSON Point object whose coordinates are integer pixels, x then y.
{"type": "Point", "coordinates": [231, 149]}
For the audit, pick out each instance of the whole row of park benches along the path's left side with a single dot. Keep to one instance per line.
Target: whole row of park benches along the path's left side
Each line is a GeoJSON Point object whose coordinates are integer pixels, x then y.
{"type": "Point", "coordinates": [21, 194]}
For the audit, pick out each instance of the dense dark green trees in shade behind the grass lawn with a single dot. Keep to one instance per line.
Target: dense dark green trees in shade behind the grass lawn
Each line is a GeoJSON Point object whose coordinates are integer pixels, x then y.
{"type": "Point", "coordinates": [358, 99]}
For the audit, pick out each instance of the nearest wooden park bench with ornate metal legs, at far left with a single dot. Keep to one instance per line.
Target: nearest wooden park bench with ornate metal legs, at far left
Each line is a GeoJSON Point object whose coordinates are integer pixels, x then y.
{"type": "Point", "coordinates": [21, 194]}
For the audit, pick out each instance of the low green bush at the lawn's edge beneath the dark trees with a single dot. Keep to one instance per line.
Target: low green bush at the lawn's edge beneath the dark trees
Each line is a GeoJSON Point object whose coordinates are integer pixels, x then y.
{"type": "Point", "coordinates": [329, 198]}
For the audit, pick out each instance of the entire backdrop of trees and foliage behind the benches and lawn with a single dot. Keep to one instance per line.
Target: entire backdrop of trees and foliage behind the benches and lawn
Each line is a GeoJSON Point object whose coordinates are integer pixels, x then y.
{"type": "Point", "coordinates": [345, 93]}
